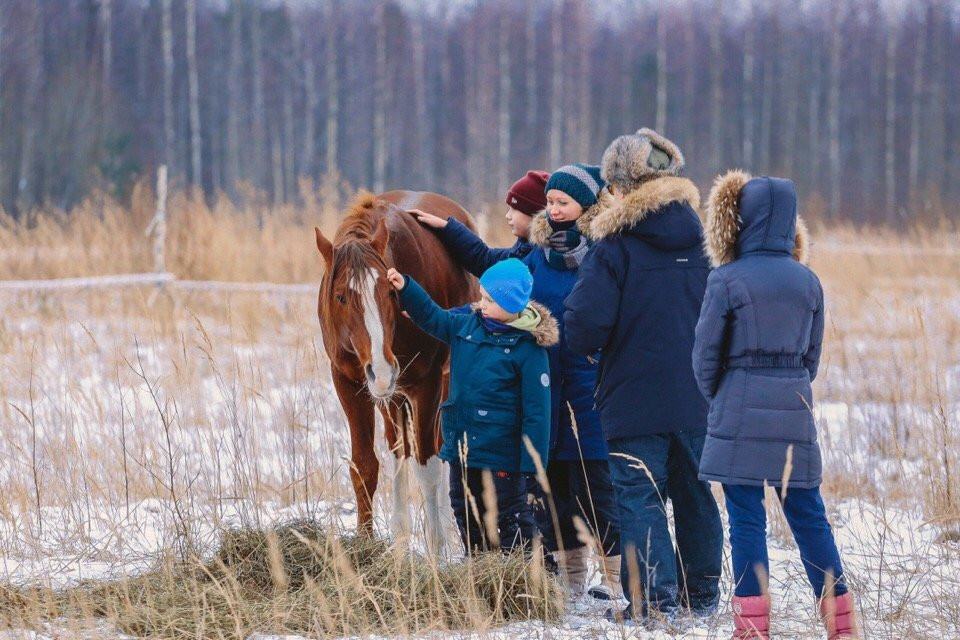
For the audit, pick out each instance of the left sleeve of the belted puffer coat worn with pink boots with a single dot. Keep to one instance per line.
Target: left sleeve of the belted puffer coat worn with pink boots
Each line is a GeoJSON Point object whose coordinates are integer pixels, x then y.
{"type": "Point", "coordinates": [712, 336]}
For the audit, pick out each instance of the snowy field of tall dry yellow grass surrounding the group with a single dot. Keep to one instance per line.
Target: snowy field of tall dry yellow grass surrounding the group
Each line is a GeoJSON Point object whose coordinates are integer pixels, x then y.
{"type": "Point", "coordinates": [146, 436]}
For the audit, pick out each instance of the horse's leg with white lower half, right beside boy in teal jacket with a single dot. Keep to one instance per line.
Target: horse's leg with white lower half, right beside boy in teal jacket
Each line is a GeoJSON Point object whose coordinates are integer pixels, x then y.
{"type": "Point", "coordinates": [429, 469]}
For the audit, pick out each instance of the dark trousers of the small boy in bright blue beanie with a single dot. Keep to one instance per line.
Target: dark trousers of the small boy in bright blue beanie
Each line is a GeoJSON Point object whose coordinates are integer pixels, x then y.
{"type": "Point", "coordinates": [515, 524]}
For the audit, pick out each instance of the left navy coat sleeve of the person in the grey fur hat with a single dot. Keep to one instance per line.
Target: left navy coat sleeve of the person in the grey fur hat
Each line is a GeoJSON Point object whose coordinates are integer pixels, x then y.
{"type": "Point", "coordinates": [593, 306]}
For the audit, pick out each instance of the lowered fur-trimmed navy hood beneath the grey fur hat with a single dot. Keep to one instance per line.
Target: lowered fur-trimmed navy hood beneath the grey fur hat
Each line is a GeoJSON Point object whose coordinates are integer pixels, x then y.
{"type": "Point", "coordinates": [639, 214]}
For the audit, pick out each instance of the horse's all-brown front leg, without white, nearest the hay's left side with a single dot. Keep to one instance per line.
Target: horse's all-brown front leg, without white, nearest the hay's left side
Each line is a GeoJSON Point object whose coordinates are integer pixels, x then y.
{"type": "Point", "coordinates": [365, 467]}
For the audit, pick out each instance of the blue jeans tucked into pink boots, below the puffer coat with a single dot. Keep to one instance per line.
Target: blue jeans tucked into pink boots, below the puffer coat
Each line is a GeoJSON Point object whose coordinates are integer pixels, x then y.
{"type": "Point", "coordinates": [807, 518]}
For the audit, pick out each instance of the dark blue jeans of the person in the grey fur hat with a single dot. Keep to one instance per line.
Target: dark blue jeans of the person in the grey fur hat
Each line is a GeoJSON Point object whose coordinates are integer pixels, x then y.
{"type": "Point", "coordinates": [666, 578]}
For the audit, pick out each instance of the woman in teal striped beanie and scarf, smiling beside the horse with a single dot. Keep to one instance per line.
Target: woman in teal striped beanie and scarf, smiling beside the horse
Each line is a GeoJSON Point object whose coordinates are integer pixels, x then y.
{"type": "Point", "coordinates": [578, 473]}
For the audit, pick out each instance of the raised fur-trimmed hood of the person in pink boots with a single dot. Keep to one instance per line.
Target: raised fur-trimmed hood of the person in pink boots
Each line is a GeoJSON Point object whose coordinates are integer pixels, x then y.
{"type": "Point", "coordinates": [747, 214]}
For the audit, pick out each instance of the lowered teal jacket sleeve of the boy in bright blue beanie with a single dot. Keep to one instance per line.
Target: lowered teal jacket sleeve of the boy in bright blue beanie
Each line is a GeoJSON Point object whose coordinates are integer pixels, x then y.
{"type": "Point", "coordinates": [535, 400]}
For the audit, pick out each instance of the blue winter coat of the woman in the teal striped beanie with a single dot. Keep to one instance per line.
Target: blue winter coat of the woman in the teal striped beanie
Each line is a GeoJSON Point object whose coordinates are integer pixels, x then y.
{"type": "Point", "coordinates": [572, 376]}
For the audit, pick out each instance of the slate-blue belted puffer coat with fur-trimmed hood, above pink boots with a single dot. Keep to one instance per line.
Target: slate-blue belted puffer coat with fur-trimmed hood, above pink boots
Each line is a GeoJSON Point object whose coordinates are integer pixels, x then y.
{"type": "Point", "coordinates": [759, 337]}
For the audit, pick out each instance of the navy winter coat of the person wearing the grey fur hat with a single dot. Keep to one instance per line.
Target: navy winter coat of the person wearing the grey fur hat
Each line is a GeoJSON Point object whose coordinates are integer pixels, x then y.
{"type": "Point", "coordinates": [637, 300]}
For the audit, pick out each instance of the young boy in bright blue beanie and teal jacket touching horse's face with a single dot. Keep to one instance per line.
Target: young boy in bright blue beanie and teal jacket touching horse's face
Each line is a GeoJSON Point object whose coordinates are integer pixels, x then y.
{"type": "Point", "coordinates": [499, 395]}
